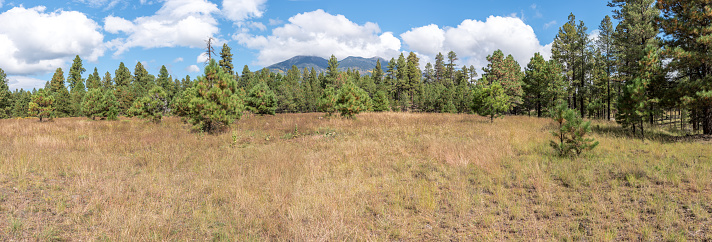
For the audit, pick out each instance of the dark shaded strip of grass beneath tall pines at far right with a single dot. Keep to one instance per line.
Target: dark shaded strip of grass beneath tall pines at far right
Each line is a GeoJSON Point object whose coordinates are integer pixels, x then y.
{"type": "Point", "coordinates": [654, 134]}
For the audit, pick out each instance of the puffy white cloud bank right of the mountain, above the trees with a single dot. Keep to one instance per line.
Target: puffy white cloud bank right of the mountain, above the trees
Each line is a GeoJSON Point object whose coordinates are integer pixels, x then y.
{"type": "Point", "coordinates": [474, 40]}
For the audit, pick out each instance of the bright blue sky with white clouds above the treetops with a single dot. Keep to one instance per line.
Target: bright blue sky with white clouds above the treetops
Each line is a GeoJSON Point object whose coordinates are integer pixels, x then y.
{"type": "Point", "coordinates": [37, 37]}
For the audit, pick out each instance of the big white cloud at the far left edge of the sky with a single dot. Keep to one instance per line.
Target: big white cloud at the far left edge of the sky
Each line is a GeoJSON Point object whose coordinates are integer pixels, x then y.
{"type": "Point", "coordinates": [41, 42]}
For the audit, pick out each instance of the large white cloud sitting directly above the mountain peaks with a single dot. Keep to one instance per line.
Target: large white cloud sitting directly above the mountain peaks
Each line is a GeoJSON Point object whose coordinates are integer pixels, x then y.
{"type": "Point", "coordinates": [321, 34]}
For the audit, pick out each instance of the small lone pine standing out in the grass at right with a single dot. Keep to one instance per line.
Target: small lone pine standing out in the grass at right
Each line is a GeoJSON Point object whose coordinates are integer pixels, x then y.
{"type": "Point", "coordinates": [571, 132]}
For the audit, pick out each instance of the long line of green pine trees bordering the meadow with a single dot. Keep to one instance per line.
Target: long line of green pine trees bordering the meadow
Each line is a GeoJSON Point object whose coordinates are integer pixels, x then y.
{"type": "Point", "coordinates": [652, 67]}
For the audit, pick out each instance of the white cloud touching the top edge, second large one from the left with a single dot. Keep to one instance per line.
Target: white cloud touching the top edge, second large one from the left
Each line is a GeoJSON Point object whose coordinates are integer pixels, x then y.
{"type": "Point", "coordinates": [178, 23]}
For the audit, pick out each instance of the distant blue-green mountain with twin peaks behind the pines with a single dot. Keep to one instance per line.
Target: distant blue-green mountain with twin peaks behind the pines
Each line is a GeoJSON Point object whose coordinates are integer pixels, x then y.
{"type": "Point", "coordinates": [363, 65]}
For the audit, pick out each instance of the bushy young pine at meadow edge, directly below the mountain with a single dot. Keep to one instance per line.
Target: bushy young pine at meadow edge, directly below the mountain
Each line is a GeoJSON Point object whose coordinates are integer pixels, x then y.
{"type": "Point", "coordinates": [352, 100]}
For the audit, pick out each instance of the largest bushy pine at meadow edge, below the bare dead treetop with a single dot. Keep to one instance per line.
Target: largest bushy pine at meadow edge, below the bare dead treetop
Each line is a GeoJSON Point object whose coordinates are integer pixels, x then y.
{"type": "Point", "coordinates": [213, 102]}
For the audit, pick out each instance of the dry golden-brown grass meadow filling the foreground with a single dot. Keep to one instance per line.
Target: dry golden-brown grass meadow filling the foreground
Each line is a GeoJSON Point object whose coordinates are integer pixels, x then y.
{"type": "Point", "coordinates": [383, 176]}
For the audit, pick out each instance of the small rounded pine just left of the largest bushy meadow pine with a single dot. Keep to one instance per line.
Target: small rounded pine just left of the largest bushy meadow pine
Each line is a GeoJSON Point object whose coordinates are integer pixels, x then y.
{"type": "Point", "coordinates": [152, 106]}
